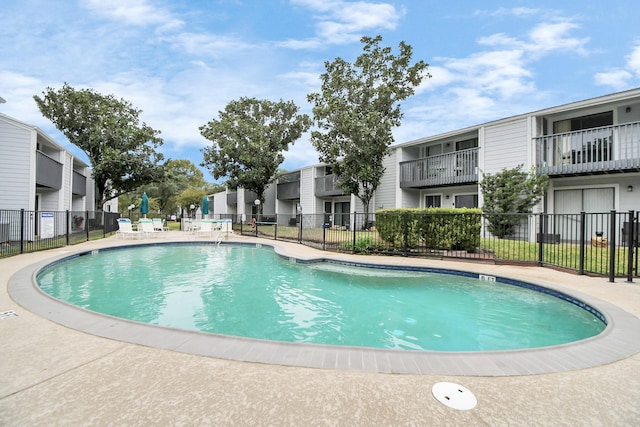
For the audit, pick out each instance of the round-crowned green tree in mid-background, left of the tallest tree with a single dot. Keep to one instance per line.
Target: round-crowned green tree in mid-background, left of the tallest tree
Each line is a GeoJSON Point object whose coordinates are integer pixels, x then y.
{"type": "Point", "coordinates": [248, 140]}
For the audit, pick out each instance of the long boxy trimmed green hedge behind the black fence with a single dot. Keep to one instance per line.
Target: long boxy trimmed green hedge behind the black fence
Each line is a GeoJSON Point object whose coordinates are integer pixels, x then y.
{"type": "Point", "coordinates": [435, 228]}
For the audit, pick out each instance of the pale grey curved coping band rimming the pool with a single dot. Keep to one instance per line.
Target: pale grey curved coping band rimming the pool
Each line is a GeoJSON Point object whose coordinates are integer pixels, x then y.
{"type": "Point", "coordinates": [618, 341]}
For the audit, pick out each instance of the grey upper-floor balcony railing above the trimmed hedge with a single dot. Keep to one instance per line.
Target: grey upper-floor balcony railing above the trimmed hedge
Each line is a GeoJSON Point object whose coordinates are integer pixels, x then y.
{"type": "Point", "coordinates": [456, 168]}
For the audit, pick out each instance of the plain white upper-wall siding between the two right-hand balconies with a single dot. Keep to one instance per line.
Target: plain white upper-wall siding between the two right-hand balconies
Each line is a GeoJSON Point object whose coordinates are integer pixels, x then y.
{"type": "Point", "coordinates": [506, 145]}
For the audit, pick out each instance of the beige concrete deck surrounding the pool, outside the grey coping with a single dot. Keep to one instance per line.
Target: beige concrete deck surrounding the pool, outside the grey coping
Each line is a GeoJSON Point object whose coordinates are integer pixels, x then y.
{"type": "Point", "coordinates": [52, 374]}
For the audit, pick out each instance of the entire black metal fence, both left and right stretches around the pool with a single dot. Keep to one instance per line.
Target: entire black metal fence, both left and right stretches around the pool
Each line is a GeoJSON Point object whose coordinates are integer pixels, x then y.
{"type": "Point", "coordinates": [588, 243]}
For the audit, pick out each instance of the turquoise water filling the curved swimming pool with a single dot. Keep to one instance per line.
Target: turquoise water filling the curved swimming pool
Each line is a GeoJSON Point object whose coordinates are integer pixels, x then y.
{"type": "Point", "coordinates": [253, 292]}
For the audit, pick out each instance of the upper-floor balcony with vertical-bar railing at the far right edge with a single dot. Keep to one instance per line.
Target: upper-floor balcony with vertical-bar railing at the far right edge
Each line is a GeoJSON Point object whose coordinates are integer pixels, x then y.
{"type": "Point", "coordinates": [607, 149]}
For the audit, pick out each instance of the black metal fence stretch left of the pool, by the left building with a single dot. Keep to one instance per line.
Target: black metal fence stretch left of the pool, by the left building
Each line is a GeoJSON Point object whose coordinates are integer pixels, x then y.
{"type": "Point", "coordinates": [23, 231]}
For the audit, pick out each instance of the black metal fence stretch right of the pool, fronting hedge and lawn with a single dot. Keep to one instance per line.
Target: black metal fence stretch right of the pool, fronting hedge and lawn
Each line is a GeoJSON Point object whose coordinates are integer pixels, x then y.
{"type": "Point", "coordinates": [588, 243]}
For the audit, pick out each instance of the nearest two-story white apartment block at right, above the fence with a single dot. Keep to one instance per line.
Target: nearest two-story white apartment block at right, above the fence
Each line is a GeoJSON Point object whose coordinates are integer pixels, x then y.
{"type": "Point", "coordinates": [589, 149]}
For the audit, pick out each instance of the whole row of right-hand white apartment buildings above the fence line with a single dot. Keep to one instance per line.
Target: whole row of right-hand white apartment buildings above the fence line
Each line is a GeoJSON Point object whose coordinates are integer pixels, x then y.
{"type": "Point", "coordinates": [589, 149]}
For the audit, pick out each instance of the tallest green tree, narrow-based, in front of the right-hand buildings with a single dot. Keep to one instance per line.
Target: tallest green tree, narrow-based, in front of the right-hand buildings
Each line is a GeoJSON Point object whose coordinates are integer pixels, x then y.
{"type": "Point", "coordinates": [355, 112]}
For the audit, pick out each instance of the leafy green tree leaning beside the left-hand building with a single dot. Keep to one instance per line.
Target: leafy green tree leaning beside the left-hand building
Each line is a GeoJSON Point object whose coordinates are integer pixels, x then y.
{"type": "Point", "coordinates": [120, 148]}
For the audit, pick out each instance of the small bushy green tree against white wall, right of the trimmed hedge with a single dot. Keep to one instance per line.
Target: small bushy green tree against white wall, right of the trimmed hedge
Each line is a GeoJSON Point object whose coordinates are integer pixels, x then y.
{"type": "Point", "coordinates": [508, 193]}
